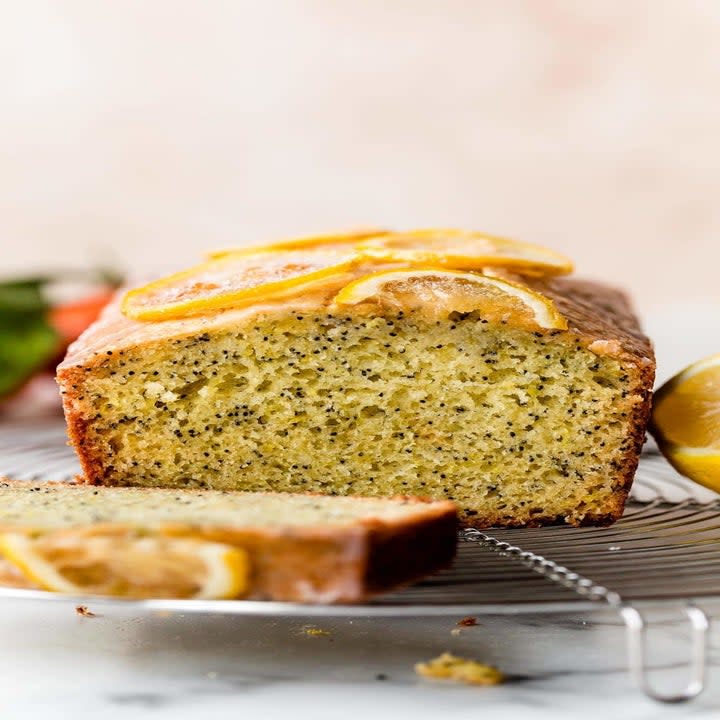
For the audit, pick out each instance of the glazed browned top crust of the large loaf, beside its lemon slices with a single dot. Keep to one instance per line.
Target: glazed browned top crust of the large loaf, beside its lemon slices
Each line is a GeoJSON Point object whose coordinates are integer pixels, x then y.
{"type": "Point", "coordinates": [601, 316]}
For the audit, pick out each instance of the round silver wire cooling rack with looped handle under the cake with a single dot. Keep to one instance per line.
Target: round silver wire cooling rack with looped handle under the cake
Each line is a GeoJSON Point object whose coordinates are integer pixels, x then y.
{"type": "Point", "coordinates": [665, 549]}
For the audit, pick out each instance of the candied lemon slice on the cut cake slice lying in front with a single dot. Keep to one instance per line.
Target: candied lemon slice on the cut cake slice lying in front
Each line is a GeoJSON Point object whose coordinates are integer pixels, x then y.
{"type": "Point", "coordinates": [128, 566]}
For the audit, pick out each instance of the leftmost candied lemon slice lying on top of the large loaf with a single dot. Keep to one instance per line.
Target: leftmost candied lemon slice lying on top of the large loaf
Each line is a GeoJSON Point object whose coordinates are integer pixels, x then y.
{"type": "Point", "coordinates": [238, 280]}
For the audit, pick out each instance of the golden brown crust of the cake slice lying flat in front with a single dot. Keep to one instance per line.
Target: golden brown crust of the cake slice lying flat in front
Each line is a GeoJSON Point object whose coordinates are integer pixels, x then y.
{"type": "Point", "coordinates": [322, 564]}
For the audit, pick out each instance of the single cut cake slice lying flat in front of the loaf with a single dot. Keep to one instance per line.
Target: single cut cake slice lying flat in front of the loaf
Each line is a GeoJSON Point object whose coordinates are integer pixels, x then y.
{"type": "Point", "coordinates": [138, 542]}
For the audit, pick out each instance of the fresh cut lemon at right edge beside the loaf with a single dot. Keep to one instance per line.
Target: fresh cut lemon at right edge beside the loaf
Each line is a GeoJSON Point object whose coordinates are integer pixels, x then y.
{"type": "Point", "coordinates": [686, 421]}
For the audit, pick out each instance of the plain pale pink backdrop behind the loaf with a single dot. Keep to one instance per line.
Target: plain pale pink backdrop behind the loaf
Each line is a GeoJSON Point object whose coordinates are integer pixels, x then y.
{"type": "Point", "coordinates": [142, 132]}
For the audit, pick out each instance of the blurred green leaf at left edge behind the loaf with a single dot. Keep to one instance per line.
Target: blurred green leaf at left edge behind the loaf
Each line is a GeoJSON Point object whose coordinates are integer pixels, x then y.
{"type": "Point", "coordinates": [27, 341]}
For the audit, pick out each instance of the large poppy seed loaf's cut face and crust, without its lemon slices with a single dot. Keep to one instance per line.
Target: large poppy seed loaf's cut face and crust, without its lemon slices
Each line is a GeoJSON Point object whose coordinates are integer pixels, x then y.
{"type": "Point", "coordinates": [517, 427]}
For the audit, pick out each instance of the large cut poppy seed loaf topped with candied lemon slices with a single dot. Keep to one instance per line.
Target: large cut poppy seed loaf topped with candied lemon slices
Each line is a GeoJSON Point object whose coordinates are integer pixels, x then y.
{"type": "Point", "coordinates": [438, 363]}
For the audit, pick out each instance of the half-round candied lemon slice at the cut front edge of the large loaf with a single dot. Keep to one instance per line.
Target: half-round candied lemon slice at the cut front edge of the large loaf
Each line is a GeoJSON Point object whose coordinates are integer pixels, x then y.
{"type": "Point", "coordinates": [437, 291]}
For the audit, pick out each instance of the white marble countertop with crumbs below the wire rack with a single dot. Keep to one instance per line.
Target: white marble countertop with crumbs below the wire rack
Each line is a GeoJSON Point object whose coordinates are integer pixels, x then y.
{"type": "Point", "coordinates": [57, 664]}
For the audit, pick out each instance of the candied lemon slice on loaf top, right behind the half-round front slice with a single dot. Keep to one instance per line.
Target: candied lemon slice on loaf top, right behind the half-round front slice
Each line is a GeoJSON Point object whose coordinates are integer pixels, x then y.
{"type": "Point", "coordinates": [464, 250]}
